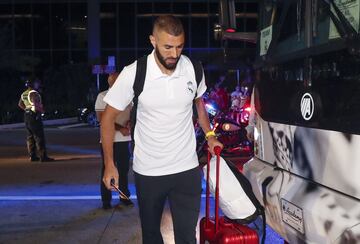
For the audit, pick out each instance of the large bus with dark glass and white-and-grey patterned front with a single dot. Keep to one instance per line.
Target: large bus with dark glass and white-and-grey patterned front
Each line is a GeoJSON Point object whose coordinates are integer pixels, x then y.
{"type": "Point", "coordinates": [306, 100]}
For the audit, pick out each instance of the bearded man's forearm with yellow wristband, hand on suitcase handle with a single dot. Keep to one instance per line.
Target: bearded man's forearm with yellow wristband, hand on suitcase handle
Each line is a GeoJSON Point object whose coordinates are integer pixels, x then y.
{"type": "Point", "coordinates": [205, 124]}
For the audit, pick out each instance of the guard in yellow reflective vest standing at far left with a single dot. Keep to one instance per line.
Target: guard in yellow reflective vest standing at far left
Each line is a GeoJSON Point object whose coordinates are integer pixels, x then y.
{"type": "Point", "coordinates": [30, 102]}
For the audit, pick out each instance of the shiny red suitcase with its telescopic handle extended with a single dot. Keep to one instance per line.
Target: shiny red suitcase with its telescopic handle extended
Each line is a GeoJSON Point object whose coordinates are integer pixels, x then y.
{"type": "Point", "coordinates": [219, 230]}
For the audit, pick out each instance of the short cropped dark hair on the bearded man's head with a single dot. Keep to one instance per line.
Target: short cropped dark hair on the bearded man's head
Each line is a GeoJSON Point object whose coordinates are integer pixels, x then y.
{"type": "Point", "coordinates": [170, 24]}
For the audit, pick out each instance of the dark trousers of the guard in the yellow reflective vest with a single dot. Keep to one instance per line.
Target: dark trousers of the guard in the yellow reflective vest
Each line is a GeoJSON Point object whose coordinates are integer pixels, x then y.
{"type": "Point", "coordinates": [35, 134]}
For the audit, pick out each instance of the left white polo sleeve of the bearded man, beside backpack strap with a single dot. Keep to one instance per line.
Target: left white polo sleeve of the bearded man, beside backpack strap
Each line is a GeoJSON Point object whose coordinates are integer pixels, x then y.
{"type": "Point", "coordinates": [122, 93]}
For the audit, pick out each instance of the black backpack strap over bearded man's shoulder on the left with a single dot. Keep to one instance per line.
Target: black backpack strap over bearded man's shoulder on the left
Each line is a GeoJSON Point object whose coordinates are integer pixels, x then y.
{"type": "Point", "coordinates": [138, 87]}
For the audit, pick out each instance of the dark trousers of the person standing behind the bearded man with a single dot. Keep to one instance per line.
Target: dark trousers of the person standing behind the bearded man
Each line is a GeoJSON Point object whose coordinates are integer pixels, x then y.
{"type": "Point", "coordinates": [121, 160]}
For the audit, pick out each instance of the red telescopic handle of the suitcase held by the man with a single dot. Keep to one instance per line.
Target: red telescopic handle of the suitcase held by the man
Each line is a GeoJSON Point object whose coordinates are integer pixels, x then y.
{"type": "Point", "coordinates": [217, 151]}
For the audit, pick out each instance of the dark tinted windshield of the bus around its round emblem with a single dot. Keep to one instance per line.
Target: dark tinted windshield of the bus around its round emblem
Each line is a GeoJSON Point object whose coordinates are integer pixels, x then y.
{"type": "Point", "coordinates": [323, 66]}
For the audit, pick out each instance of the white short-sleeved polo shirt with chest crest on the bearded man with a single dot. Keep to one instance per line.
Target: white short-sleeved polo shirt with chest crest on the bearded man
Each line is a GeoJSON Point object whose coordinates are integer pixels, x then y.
{"type": "Point", "coordinates": [164, 131]}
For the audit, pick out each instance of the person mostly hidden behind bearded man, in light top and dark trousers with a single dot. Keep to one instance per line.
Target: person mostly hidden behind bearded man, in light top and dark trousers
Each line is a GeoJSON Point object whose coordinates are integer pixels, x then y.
{"type": "Point", "coordinates": [120, 150]}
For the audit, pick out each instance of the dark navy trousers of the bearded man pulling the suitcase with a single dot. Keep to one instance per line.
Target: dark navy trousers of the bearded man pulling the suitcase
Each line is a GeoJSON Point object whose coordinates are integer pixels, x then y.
{"type": "Point", "coordinates": [183, 191]}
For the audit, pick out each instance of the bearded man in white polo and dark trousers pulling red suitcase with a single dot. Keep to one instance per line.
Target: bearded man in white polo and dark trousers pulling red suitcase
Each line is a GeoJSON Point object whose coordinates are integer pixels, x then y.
{"type": "Point", "coordinates": [165, 163]}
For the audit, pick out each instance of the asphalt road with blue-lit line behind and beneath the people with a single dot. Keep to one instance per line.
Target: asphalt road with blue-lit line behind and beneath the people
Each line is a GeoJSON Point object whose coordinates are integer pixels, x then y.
{"type": "Point", "coordinates": [59, 202]}
